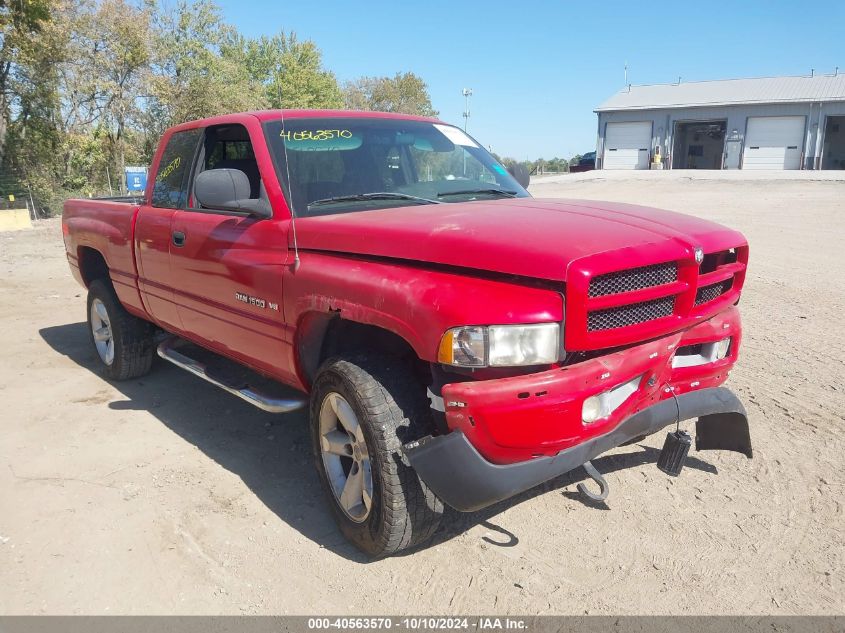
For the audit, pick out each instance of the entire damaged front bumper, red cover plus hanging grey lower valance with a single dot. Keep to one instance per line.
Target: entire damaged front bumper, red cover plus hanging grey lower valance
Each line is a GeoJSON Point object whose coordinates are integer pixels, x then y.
{"type": "Point", "coordinates": [509, 434]}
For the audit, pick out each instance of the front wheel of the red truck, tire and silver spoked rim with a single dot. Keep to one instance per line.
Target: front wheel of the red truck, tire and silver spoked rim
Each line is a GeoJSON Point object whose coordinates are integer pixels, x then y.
{"type": "Point", "coordinates": [391, 409]}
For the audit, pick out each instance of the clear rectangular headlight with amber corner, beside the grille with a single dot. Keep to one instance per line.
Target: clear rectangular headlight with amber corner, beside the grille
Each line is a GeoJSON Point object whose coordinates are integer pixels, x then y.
{"type": "Point", "coordinates": [500, 345]}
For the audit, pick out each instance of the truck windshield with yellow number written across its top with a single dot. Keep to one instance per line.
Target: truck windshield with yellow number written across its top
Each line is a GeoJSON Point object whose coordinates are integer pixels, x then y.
{"type": "Point", "coordinates": [341, 165]}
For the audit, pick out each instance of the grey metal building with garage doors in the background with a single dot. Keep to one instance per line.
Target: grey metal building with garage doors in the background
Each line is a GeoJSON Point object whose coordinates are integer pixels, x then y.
{"type": "Point", "coordinates": [763, 123]}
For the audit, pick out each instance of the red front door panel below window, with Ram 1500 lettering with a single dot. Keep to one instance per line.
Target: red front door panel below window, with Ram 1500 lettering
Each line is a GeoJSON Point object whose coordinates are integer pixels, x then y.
{"type": "Point", "coordinates": [228, 285]}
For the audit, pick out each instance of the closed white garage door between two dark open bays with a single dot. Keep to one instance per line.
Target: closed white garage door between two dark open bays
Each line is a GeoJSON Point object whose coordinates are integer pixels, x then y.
{"type": "Point", "coordinates": [773, 142]}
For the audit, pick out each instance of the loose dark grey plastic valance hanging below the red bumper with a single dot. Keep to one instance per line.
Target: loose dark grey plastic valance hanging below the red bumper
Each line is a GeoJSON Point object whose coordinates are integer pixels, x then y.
{"type": "Point", "coordinates": [458, 474]}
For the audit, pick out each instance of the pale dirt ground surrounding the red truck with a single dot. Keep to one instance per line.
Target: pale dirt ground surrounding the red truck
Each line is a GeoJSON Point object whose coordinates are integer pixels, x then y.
{"type": "Point", "coordinates": [165, 495]}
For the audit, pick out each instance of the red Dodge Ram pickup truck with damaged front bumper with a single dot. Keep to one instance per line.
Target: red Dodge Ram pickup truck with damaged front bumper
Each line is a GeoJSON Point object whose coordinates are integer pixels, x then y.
{"type": "Point", "coordinates": [456, 340]}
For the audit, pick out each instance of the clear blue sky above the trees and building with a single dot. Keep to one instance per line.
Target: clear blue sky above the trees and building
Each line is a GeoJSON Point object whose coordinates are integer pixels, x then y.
{"type": "Point", "coordinates": [538, 69]}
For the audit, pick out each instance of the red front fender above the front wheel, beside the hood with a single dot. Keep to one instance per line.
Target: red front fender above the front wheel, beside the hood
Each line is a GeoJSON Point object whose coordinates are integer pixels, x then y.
{"type": "Point", "coordinates": [416, 303]}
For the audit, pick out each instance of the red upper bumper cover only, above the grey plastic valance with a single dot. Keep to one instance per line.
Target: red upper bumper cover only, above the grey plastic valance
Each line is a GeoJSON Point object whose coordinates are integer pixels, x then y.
{"type": "Point", "coordinates": [524, 417]}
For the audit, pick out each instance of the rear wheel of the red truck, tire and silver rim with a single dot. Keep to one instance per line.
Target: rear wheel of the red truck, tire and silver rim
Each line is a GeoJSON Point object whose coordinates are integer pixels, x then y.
{"type": "Point", "coordinates": [129, 349]}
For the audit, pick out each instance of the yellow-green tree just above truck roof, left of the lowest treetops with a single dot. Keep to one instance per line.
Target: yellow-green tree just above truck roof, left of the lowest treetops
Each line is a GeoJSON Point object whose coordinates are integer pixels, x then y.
{"type": "Point", "coordinates": [291, 72]}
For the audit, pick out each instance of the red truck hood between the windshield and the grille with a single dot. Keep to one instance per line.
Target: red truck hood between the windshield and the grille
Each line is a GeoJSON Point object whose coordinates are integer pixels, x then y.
{"type": "Point", "coordinates": [521, 236]}
